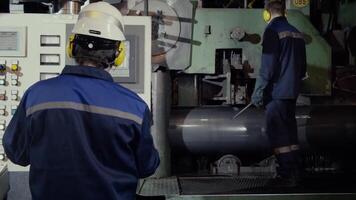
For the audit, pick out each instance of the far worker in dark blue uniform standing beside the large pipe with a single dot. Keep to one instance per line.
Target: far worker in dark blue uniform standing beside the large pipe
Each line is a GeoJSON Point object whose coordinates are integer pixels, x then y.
{"type": "Point", "coordinates": [283, 67]}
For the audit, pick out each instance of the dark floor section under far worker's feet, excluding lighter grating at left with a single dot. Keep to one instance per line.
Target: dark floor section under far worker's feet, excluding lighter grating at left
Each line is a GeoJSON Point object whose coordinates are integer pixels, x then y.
{"type": "Point", "coordinates": [258, 185]}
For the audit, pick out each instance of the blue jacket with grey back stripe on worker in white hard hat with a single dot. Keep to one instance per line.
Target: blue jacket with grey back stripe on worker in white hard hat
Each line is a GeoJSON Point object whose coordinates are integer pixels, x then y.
{"type": "Point", "coordinates": [88, 137]}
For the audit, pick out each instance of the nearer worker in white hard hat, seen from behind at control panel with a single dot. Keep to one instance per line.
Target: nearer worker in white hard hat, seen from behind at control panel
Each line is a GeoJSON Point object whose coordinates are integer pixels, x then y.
{"type": "Point", "coordinates": [84, 136]}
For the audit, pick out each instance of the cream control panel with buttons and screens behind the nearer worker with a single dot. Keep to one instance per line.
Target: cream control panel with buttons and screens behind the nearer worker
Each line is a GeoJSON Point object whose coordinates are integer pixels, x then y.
{"type": "Point", "coordinates": [33, 48]}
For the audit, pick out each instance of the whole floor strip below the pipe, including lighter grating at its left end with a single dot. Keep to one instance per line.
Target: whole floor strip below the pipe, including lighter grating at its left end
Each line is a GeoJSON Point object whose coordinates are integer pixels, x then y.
{"type": "Point", "coordinates": [248, 184]}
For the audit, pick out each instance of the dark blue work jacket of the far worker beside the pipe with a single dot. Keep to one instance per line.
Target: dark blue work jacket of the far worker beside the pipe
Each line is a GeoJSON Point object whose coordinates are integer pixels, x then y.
{"type": "Point", "coordinates": [283, 62]}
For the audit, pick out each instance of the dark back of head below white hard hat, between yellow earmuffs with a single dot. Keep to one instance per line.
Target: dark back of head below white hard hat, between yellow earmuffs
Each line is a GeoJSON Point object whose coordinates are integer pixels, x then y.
{"type": "Point", "coordinates": [102, 56]}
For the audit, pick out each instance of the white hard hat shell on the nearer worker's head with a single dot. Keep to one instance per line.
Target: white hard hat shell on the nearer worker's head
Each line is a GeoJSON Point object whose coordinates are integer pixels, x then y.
{"type": "Point", "coordinates": [100, 20]}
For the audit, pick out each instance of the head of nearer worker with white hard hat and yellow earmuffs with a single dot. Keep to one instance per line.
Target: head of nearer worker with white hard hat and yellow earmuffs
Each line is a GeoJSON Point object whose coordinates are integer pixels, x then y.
{"type": "Point", "coordinates": [97, 36]}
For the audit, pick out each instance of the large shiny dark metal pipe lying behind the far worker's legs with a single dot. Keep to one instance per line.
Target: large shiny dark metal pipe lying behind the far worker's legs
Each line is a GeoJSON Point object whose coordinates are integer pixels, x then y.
{"type": "Point", "coordinates": [211, 130]}
